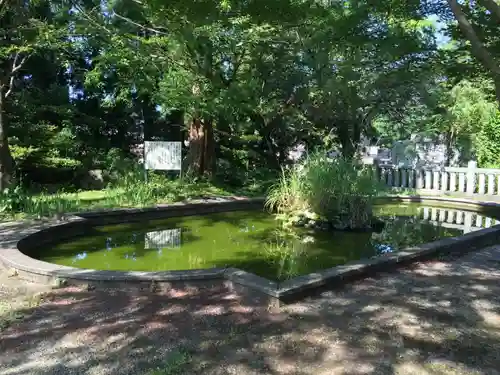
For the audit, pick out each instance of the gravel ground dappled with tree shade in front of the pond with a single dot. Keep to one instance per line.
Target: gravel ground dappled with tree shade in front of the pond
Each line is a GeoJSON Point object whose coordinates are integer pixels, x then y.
{"type": "Point", "coordinates": [438, 318]}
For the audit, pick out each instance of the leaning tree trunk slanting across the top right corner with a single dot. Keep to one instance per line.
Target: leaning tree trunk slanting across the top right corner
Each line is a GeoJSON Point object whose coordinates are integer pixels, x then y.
{"type": "Point", "coordinates": [477, 46]}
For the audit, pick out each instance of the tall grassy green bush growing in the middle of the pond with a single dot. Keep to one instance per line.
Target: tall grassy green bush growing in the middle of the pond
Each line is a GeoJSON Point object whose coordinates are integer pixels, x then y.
{"type": "Point", "coordinates": [334, 189]}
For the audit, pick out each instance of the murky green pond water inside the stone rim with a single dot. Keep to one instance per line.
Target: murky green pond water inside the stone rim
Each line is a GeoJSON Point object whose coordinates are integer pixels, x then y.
{"type": "Point", "coordinates": [250, 240]}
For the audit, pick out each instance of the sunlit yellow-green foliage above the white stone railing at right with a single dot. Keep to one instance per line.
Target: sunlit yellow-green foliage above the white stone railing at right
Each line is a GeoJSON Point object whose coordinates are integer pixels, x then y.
{"type": "Point", "coordinates": [457, 113]}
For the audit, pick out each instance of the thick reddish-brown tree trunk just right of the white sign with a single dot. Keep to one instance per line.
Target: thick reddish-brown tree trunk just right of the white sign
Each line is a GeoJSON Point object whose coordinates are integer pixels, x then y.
{"type": "Point", "coordinates": [201, 159]}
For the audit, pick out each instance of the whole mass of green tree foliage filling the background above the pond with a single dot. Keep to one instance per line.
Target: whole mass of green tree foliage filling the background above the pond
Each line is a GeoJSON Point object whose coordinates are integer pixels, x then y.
{"type": "Point", "coordinates": [322, 74]}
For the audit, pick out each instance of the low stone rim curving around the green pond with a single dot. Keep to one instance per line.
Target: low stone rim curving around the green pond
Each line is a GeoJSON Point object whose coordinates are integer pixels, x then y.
{"type": "Point", "coordinates": [22, 236]}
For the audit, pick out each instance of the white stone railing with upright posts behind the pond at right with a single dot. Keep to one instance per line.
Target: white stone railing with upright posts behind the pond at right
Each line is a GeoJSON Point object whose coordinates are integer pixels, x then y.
{"type": "Point", "coordinates": [469, 180]}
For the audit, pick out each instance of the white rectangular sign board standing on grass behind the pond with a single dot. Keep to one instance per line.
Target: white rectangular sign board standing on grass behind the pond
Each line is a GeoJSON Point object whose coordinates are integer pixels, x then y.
{"type": "Point", "coordinates": [164, 156]}
